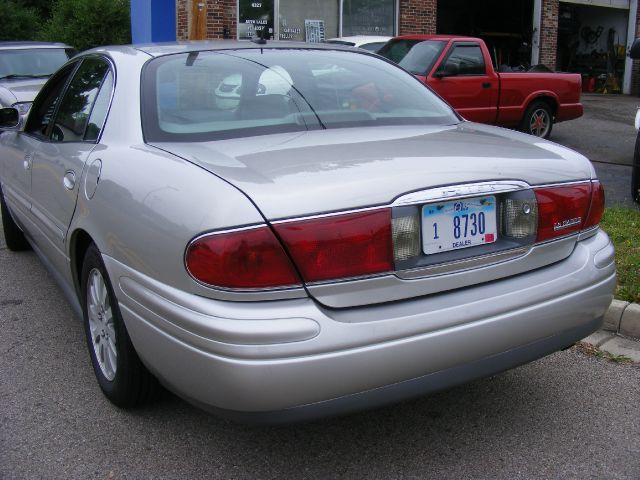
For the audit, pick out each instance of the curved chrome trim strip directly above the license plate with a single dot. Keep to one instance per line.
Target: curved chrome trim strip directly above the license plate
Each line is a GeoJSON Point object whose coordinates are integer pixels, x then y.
{"type": "Point", "coordinates": [454, 192]}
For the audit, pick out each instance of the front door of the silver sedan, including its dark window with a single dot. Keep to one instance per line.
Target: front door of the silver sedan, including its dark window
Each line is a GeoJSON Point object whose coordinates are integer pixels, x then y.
{"type": "Point", "coordinates": [19, 147]}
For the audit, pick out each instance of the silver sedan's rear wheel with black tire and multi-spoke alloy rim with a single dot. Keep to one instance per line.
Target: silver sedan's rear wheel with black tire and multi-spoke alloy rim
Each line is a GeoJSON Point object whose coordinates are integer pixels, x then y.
{"type": "Point", "coordinates": [123, 378]}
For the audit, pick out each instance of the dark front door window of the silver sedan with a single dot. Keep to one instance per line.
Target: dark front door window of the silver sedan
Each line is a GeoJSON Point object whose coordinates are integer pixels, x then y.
{"type": "Point", "coordinates": [45, 103]}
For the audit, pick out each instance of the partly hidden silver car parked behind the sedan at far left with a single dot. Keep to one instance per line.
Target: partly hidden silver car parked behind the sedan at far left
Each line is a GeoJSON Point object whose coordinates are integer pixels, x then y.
{"type": "Point", "coordinates": [25, 67]}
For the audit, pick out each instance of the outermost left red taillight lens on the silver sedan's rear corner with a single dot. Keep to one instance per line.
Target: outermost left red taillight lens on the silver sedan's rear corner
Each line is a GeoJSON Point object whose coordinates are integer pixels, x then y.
{"type": "Point", "coordinates": [250, 258]}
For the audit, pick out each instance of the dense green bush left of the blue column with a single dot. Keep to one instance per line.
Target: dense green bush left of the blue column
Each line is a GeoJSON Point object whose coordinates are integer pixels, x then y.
{"type": "Point", "coordinates": [88, 23]}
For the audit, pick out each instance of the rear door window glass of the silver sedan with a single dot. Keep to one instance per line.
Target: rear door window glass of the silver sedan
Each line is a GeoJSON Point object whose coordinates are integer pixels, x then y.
{"type": "Point", "coordinates": [72, 117]}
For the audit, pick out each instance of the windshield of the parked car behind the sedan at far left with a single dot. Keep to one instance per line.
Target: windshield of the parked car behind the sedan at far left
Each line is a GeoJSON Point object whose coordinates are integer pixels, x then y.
{"type": "Point", "coordinates": [31, 62]}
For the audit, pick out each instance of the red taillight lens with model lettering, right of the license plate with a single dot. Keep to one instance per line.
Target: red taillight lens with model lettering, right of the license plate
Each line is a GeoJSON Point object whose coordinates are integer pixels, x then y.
{"type": "Point", "coordinates": [562, 210]}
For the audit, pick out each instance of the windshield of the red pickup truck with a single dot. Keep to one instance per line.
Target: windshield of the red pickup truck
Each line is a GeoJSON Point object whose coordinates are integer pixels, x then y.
{"type": "Point", "coordinates": [417, 56]}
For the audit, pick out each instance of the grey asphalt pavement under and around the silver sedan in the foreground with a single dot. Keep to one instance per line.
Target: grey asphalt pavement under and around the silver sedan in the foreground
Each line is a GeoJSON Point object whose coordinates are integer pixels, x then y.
{"type": "Point", "coordinates": [569, 415]}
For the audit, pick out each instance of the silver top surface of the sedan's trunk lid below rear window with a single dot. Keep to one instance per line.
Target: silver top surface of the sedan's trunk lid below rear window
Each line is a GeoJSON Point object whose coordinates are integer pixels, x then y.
{"type": "Point", "coordinates": [300, 174]}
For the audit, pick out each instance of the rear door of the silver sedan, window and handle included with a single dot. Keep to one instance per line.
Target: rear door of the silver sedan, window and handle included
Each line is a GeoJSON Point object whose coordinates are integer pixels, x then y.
{"type": "Point", "coordinates": [59, 160]}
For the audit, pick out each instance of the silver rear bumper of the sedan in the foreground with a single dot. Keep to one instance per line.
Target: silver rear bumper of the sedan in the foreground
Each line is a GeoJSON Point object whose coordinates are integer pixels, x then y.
{"type": "Point", "coordinates": [293, 360]}
